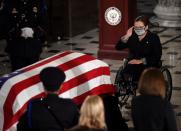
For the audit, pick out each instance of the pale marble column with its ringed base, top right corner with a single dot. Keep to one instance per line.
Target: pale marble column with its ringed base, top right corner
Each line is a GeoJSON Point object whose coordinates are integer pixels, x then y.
{"type": "Point", "coordinates": [168, 13]}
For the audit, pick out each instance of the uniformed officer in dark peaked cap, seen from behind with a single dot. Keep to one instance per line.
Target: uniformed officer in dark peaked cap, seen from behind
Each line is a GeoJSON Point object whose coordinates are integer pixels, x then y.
{"type": "Point", "coordinates": [50, 113]}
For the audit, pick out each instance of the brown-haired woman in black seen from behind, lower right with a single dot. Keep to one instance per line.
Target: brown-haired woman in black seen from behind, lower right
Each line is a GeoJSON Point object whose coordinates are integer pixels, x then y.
{"type": "Point", "coordinates": [150, 111]}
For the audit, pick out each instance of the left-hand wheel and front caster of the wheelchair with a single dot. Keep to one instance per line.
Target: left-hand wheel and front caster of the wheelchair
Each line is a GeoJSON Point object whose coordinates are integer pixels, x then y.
{"type": "Point", "coordinates": [124, 87]}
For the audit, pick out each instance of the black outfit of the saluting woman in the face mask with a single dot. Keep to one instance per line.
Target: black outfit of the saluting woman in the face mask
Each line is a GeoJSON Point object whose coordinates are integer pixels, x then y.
{"type": "Point", "coordinates": [149, 49]}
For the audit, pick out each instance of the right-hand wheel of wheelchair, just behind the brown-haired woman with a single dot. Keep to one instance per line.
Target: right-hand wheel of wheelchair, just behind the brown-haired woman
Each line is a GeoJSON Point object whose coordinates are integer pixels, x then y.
{"type": "Point", "coordinates": [168, 81]}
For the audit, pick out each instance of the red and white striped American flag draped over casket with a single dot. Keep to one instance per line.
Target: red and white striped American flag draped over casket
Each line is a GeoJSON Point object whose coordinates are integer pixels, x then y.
{"type": "Point", "coordinates": [85, 75]}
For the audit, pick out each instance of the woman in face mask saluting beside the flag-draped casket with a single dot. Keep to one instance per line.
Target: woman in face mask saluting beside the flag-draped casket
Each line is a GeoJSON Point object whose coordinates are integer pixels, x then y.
{"type": "Point", "coordinates": [145, 49]}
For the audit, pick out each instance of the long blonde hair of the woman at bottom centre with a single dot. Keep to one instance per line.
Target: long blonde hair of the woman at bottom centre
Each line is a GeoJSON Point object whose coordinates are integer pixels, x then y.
{"type": "Point", "coordinates": [92, 112]}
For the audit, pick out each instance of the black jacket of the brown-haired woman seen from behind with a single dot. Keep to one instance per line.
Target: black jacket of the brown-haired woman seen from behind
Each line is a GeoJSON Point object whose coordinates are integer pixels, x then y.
{"type": "Point", "coordinates": [152, 113]}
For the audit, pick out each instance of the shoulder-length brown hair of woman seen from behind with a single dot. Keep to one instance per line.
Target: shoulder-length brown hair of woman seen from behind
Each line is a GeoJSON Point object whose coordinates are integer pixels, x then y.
{"type": "Point", "coordinates": [152, 82]}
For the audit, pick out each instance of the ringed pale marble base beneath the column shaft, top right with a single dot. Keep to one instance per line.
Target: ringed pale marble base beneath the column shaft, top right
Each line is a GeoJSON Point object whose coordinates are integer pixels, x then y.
{"type": "Point", "coordinates": [167, 16]}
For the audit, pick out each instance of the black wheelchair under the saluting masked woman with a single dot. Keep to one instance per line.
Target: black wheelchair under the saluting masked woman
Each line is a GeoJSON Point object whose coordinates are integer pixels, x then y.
{"type": "Point", "coordinates": [126, 86]}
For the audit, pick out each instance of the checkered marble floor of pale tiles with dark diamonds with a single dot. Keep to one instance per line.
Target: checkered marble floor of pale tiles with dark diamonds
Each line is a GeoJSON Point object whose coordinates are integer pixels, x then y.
{"type": "Point", "coordinates": [88, 43]}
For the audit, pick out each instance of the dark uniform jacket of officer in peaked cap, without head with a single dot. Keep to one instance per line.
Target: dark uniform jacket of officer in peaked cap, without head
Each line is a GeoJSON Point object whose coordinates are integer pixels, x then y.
{"type": "Point", "coordinates": [39, 114]}
